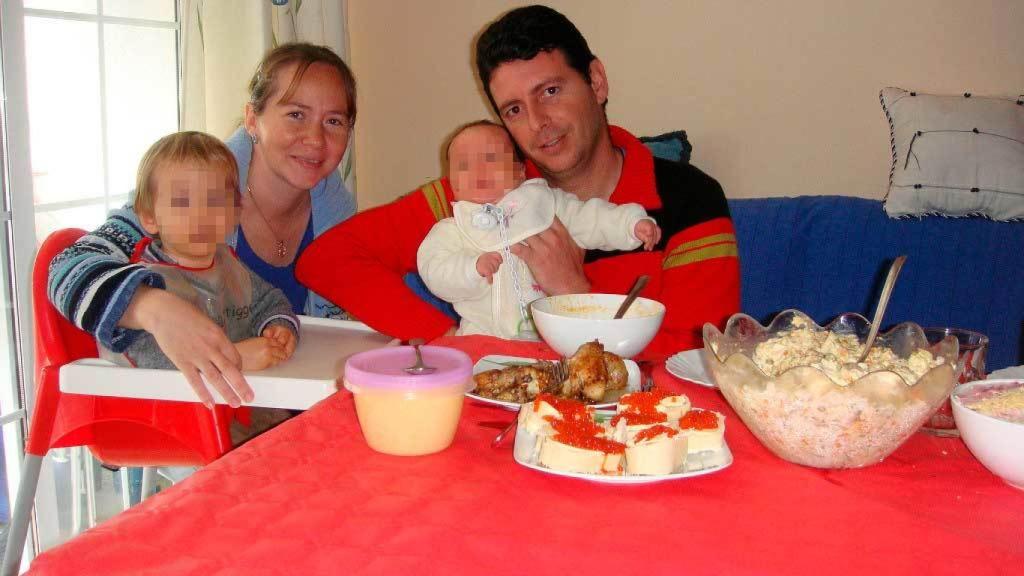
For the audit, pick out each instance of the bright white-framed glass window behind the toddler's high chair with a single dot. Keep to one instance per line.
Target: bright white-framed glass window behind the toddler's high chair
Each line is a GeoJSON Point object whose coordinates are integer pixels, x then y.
{"type": "Point", "coordinates": [101, 79]}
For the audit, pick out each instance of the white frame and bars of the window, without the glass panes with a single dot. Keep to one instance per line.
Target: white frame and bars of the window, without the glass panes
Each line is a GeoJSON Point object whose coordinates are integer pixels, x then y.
{"type": "Point", "coordinates": [18, 217]}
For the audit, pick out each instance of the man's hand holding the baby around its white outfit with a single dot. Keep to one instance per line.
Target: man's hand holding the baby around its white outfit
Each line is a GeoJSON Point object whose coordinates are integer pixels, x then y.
{"type": "Point", "coordinates": [556, 260]}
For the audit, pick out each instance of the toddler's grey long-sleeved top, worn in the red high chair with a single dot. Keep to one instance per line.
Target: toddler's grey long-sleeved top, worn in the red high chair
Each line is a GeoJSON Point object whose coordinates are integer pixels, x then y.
{"type": "Point", "coordinates": [231, 295]}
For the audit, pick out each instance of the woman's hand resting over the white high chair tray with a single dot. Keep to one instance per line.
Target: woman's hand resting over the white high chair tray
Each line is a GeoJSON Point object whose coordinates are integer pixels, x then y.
{"type": "Point", "coordinates": [192, 342]}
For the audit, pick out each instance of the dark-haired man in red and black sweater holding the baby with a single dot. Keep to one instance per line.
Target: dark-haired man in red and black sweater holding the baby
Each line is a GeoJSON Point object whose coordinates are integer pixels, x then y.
{"type": "Point", "coordinates": [550, 92]}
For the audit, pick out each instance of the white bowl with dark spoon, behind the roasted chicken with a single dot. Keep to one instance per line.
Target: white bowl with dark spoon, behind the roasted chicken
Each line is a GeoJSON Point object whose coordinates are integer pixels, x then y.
{"type": "Point", "coordinates": [569, 321]}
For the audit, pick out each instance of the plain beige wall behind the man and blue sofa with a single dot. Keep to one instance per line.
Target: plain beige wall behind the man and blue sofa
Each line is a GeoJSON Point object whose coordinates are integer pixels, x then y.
{"type": "Point", "coordinates": [780, 98]}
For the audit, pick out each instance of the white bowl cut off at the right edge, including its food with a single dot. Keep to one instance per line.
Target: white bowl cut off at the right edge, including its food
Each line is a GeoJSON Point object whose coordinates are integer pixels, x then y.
{"type": "Point", "coordinates": [990, 416]}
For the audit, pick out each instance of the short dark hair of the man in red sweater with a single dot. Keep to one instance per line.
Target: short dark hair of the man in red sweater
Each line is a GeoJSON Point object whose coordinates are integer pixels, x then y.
{"type": "Point", "coordinates": [524, 33]}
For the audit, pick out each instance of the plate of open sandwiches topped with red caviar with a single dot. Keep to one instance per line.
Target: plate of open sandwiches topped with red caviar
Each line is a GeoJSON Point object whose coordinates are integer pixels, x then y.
{"type": "Point", "coordinates": [649, 437]}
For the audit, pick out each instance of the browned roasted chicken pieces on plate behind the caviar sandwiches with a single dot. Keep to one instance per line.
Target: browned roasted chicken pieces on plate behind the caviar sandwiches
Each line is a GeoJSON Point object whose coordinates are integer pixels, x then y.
{"type": "Point", "coordinates": [592, 373]}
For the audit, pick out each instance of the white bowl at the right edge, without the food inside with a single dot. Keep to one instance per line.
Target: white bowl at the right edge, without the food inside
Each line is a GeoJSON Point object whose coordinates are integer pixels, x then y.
{"type": "Point", "coordinates": [998, 444]}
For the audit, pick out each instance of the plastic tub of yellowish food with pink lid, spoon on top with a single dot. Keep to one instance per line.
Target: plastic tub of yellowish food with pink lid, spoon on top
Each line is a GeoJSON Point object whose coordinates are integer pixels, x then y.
{"type": "Point", "coordinates": [409, 415]}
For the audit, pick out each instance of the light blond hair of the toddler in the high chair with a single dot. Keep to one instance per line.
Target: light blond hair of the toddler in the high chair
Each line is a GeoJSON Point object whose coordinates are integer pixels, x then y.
{"type": "Point", "coordinates": [183, 148]}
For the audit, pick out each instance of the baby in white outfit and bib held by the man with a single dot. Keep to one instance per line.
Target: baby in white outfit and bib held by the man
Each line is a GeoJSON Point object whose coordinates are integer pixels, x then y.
{"type": "Point", "coordinates": [465, 260]}
